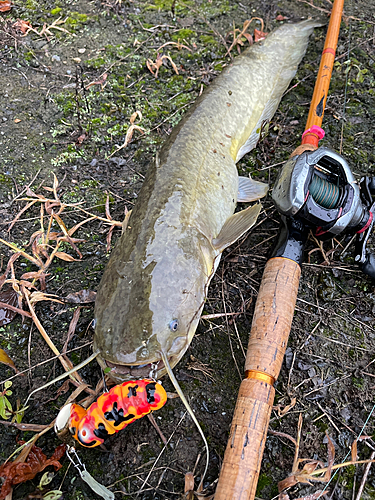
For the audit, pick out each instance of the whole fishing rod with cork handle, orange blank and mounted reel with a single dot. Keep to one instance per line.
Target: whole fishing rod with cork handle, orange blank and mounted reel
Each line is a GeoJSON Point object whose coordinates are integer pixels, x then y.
{"type": "Point", "coordinates": [314, 191]}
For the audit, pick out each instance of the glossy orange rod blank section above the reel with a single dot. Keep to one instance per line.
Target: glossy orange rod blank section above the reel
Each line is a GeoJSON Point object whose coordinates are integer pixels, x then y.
{"type": "Point", "coordinates": [319, 98]}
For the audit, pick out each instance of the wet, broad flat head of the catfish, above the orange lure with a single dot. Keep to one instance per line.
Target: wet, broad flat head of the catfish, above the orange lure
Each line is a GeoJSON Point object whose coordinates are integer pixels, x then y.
{"type": "Point", "coordinates": [147, 308]}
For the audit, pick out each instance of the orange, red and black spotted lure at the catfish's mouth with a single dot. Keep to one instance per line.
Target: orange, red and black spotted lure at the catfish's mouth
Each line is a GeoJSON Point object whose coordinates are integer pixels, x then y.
{"type": "Point", "coordinates": [112, 412]}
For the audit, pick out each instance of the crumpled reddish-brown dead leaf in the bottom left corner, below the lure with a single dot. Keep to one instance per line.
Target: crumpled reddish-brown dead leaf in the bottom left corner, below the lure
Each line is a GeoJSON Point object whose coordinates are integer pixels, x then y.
{"type": "Point", "coordinates": [18, 472]}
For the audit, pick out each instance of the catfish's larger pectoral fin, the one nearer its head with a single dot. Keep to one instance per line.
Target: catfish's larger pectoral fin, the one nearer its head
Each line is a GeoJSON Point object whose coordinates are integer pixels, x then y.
{"type": "Point", "coordinates": [236, 226]}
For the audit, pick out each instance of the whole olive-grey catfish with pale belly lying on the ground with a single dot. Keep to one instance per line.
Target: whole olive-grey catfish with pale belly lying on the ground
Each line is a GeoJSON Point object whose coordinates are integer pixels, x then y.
{"type": "Point", "coordinates": [153, 289]}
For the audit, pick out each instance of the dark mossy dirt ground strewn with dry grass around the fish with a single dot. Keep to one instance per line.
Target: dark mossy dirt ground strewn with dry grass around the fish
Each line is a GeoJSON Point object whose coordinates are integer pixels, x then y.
{"type": "Point", "coordinates": [69, 88]}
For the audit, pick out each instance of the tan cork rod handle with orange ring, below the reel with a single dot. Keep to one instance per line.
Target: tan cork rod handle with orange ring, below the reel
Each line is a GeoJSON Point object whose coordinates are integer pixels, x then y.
{"type": "Point", "coordinates": [270, 329]}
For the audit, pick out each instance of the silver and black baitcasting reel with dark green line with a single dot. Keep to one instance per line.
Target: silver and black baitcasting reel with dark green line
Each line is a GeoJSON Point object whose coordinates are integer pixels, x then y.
{"type": "Point", "coordinates": [317, 191]}
